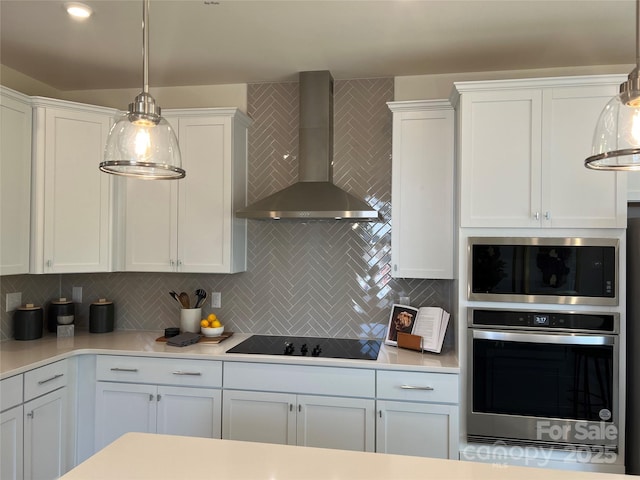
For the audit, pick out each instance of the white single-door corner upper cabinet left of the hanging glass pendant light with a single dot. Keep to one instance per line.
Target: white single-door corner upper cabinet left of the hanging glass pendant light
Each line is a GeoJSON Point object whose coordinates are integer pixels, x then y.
{"type": "Point", "coordinates": [71, 199]}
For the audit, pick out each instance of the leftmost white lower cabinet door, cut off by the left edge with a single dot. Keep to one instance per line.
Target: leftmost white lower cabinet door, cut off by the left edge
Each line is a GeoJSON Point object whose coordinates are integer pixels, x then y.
{"type": "Point", "coordinates": [11, 435]}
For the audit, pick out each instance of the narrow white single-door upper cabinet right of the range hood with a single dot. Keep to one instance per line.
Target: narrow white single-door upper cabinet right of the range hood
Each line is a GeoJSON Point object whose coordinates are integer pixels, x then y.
{"type": "Point", "coordinates": [422, 189]}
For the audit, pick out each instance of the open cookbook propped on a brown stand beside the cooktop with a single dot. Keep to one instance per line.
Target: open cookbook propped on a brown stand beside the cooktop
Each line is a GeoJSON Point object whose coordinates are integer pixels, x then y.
{"type": "Point", "coordinates": [429, 323]}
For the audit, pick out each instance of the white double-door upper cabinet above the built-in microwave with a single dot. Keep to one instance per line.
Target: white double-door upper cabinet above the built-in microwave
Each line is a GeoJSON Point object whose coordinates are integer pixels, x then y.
{"type": "Point", "coordinates": [521, 149]}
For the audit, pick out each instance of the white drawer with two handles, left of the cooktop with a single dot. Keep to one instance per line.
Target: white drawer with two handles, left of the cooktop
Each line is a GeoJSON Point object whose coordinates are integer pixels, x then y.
{"type": "Point", "coordinates": [165, 371]}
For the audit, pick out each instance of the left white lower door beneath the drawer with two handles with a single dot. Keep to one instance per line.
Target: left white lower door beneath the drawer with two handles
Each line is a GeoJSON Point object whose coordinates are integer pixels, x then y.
{"type": "Point", "coordinates": [122, 408]}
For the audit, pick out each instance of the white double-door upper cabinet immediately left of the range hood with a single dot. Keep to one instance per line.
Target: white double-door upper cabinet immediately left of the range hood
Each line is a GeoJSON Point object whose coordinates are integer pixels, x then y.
{"type": "Point", "coordinates": [189, 225]}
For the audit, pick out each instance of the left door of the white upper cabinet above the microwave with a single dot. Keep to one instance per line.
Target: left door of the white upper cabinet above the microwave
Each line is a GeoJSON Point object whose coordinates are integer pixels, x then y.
{"type": "Point", "coordinates": [500, 151]}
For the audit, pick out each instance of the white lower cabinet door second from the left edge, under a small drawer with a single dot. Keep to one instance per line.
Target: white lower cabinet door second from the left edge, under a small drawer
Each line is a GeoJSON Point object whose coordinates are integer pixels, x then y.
{"type": "Point", "coordinates": [45, 436]}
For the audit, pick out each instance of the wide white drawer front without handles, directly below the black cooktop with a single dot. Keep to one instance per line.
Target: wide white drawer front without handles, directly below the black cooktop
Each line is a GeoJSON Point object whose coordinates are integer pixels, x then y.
{"type": "Point", "coordinates": [345, 382]}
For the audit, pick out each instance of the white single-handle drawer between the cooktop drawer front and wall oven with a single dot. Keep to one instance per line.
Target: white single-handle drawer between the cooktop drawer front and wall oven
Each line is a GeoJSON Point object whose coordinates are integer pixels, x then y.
{"type": "Point", "coordinates": [418, 386]}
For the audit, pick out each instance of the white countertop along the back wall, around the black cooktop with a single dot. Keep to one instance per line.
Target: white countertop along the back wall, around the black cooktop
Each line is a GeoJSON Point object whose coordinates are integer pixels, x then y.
{"type": "Point", "coordinates": [19, 356]}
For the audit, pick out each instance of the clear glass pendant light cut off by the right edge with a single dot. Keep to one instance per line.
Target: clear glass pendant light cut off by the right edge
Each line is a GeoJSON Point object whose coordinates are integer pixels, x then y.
{"type": "Point", "coordinates": [616, 140]}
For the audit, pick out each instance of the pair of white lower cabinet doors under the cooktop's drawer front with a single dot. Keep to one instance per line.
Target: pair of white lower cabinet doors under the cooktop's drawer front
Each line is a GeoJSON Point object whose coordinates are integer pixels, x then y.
{"type": "Point", "coordinates": [306, 420]}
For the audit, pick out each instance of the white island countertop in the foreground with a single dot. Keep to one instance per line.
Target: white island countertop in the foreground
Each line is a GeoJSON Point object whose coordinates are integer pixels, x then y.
{"type": "Point", "coordinates": [150, 456]}
